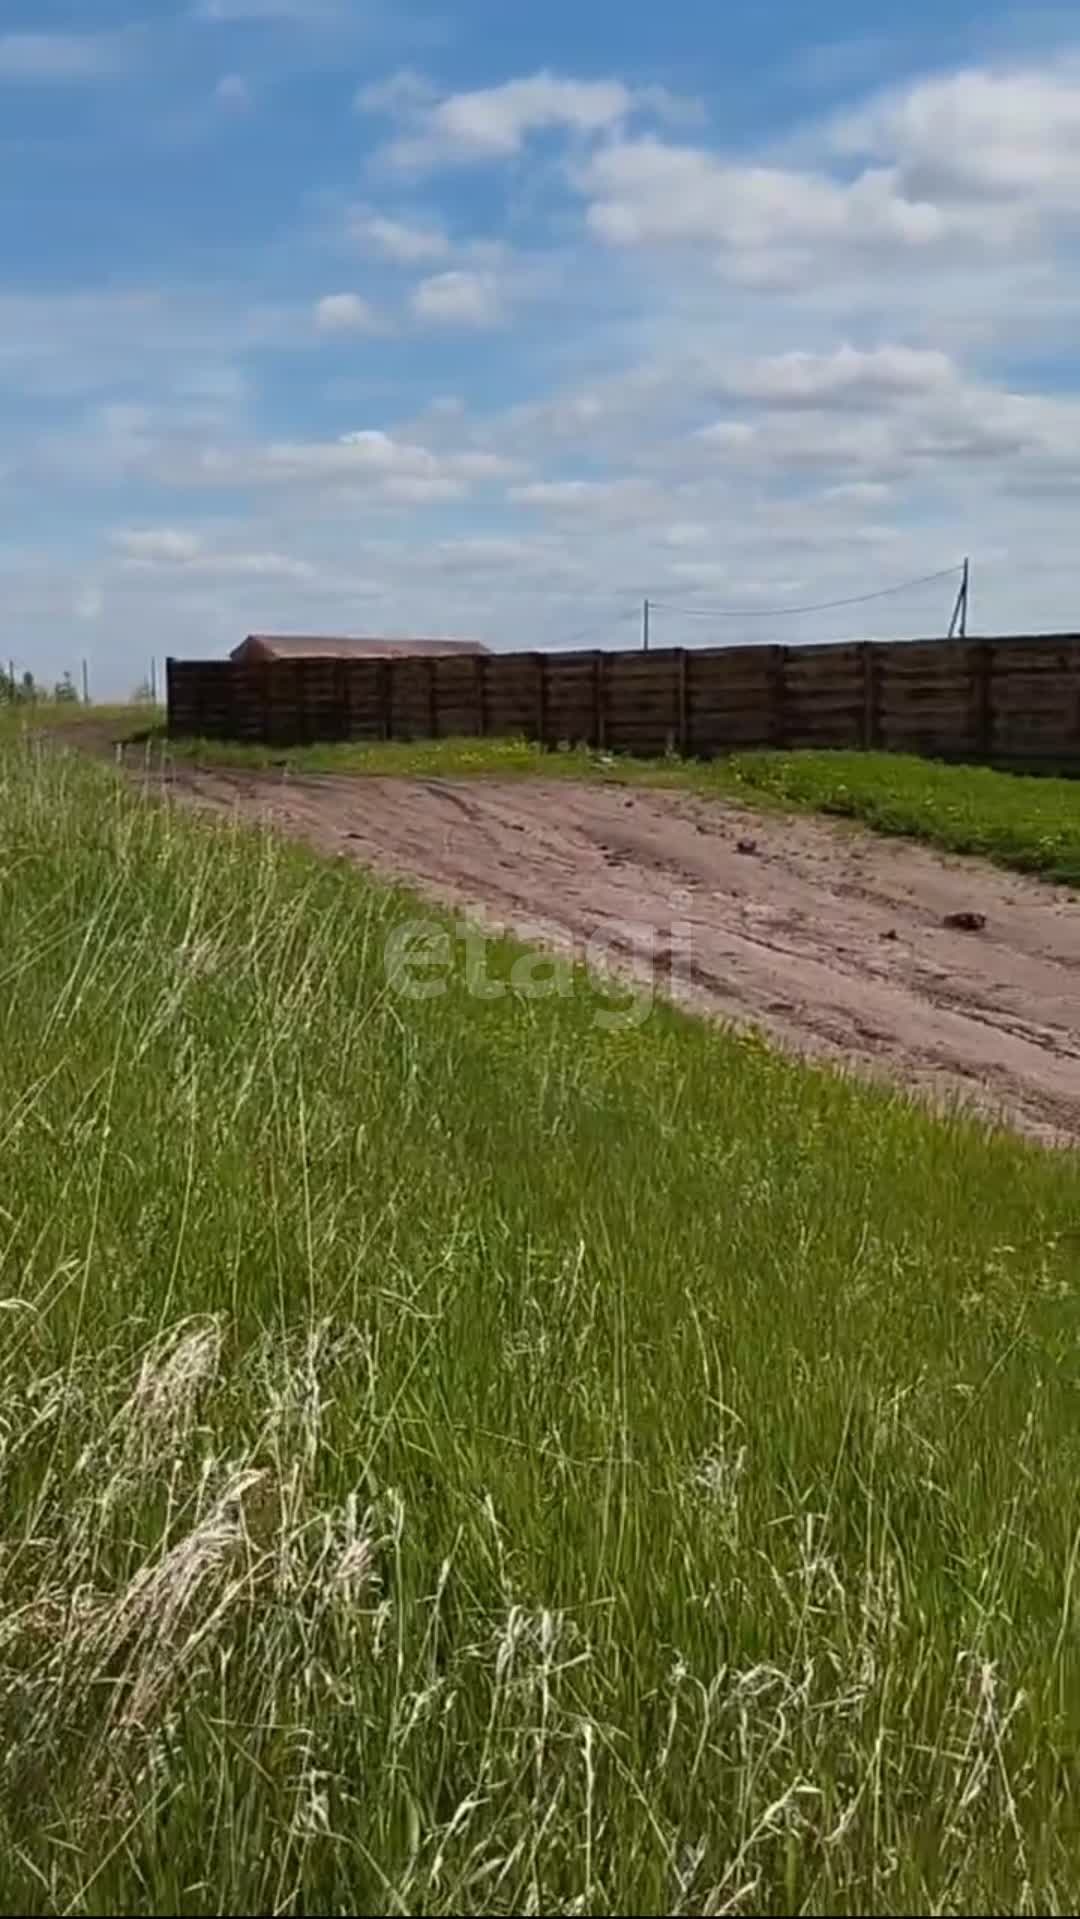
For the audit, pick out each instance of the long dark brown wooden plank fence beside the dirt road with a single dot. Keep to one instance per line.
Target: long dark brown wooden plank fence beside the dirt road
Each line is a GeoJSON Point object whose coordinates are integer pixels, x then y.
{"type": "Point", "coordinates": [1006, 699]}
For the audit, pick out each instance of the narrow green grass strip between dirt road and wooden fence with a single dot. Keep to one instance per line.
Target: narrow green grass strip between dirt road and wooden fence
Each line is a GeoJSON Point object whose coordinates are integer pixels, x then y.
{"type": "Point", "coordinates": [1020, 820]}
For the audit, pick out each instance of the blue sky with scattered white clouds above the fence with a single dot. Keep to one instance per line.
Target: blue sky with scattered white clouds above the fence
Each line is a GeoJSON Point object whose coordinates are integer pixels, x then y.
{"type": "Point", "coordinates": [492, 320]}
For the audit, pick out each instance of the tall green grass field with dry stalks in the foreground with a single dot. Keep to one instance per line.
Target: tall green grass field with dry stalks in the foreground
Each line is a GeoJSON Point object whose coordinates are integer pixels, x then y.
{"type": "Point", "coordinates": [458, 1456]}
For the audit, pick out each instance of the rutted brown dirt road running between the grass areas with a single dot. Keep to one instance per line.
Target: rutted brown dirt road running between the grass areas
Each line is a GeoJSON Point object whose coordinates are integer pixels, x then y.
{"type": "Point", "coordinates": [828, 939]}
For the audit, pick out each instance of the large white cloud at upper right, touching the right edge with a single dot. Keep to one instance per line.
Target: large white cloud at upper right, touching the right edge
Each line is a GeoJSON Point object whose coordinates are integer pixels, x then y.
{"type": "Point", "coordinates": [954, 172]}
